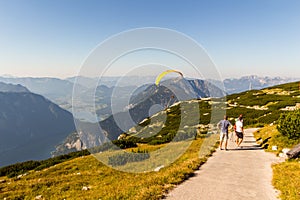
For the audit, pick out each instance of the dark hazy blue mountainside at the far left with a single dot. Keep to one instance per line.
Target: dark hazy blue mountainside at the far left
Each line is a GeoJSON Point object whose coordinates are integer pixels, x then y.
{"type": "Point", "coordinates": [30, 125]}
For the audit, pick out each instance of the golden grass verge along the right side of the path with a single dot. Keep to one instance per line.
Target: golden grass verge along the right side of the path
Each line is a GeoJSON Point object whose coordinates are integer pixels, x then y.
{"type": "Point", "coordinates": [286, 175]}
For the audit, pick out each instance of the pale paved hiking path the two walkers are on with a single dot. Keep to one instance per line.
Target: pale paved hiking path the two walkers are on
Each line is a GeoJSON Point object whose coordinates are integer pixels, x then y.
{"type": "Point", "coordinates": [239, 173]}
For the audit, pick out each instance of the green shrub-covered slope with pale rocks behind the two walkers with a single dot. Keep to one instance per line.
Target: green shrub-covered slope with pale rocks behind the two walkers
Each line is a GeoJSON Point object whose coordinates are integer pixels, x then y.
{"type": "Point", "coordinates": [259, 107]}
